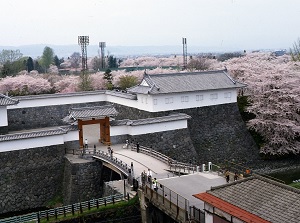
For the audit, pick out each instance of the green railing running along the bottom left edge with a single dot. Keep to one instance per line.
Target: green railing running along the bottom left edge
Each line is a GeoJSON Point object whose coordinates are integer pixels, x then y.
{"type": "Point", "coordinates": [73, 209]}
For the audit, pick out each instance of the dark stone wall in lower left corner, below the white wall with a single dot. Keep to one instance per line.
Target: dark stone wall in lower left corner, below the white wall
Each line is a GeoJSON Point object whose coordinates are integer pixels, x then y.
{"type": "Point", "coordinates": [30, 178]}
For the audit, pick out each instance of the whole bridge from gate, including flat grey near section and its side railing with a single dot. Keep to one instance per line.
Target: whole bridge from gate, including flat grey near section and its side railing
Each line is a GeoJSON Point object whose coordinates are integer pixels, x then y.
{"type": "Point", "coordinates": [177, 181]}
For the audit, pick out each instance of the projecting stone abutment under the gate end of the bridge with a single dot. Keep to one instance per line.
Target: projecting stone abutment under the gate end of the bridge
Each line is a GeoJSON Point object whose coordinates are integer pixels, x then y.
{"type": "Point", "coordinates": [82, 180]}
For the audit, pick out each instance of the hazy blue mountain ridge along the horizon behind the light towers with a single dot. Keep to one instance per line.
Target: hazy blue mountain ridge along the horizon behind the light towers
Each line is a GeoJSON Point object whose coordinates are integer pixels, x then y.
{"type": "Point", "coordinates": [36, 50]}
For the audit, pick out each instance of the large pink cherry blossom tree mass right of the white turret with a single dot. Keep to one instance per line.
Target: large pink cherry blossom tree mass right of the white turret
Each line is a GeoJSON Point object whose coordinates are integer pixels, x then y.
{"type": "Point", "coordinates": [273, 91]}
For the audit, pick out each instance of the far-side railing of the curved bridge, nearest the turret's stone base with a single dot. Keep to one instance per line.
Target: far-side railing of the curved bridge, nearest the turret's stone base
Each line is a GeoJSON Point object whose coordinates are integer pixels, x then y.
{"type": "Point", "coordinates": [174, 165]}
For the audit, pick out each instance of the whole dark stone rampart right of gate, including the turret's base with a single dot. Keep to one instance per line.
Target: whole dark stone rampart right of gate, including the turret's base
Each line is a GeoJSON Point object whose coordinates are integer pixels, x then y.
{"type": "Point", "coordinates": [215, 134]}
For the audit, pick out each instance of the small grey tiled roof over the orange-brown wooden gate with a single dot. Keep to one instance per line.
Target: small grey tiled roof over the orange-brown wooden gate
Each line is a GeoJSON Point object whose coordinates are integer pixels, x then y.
{"type": "Point", "coordinates": [92, 112]}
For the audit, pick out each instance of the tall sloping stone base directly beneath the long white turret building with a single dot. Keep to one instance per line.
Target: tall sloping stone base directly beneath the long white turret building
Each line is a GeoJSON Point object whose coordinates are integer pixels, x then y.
{"type": "Point", "coordinates": [220, 134]}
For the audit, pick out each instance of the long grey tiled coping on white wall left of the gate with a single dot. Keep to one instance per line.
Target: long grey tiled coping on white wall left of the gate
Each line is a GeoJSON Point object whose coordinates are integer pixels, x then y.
{"type": "Point", "coordinates": [32, 134]}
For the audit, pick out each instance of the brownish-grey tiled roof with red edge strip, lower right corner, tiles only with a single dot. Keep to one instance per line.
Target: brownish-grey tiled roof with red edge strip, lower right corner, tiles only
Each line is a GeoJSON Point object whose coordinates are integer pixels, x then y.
{"type": "Point", "coordinates": [268, 199]}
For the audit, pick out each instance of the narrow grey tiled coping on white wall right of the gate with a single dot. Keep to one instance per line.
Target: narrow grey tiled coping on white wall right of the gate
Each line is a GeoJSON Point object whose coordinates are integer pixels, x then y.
{"type": "Point", "coordinates": [172, 117]}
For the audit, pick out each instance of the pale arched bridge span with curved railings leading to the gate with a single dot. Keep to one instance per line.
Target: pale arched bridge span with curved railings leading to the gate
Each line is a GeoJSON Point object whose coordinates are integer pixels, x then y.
{"type": "Point", "coordinates": [126, 161]}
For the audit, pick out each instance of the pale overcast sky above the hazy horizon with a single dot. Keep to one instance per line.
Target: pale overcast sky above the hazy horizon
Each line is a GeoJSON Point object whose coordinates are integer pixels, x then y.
{"type": "Point", "coordinates": [245, 24]}
